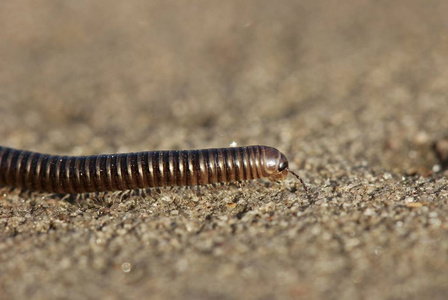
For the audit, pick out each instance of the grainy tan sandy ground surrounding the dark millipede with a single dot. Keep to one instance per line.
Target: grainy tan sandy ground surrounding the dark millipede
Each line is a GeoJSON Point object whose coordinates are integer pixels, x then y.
{"type": "Point", "coordinates": [354, 93]}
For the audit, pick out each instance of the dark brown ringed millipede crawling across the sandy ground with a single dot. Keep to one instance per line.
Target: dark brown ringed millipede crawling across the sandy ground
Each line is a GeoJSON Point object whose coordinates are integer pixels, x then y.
{"type": "Point", "coordinates": [114, 172]}
